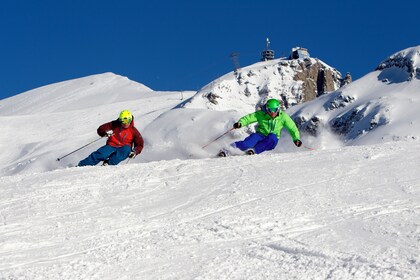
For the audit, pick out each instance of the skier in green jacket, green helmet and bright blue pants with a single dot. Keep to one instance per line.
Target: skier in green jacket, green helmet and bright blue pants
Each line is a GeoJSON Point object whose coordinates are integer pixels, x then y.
{"type": "Point", "coordinates": [271, 121]}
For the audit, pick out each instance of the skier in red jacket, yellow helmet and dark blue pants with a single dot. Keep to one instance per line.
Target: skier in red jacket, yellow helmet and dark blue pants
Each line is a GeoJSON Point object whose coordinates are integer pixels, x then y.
{"type": "Point", "coordinates": [124, 140]}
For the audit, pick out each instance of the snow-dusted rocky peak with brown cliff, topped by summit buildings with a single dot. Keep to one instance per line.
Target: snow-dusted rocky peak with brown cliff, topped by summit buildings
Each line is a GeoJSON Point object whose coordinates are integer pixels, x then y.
{"type": "Point", "coordinates": [291, 80]}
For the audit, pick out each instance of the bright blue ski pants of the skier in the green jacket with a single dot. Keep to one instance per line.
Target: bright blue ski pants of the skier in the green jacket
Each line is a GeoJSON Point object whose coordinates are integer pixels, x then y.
{"type": "Point", "coordinates": [258, 142]}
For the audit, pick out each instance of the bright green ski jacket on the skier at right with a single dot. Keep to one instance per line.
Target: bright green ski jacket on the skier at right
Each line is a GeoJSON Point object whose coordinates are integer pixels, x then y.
{"type": "Point", "coordinates": [267, 125]}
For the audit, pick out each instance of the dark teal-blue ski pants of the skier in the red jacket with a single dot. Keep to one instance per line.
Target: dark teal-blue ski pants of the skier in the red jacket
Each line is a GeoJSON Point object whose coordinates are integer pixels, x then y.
{"type": "Point", "coordinates": [113, 154]}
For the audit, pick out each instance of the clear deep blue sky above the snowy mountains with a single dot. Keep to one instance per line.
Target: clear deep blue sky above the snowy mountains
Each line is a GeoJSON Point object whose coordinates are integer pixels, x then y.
{"type": "Point", "coordinates": [183, 45]}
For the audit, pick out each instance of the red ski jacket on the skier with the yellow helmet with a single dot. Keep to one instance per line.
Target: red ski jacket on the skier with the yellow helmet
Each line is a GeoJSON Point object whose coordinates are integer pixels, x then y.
{"type": "Point", "coordinates": [122, 136]}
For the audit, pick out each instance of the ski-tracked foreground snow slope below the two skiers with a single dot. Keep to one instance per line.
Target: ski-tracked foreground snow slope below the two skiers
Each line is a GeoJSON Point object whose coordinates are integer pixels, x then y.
{"type": "Point", "coordinates": [348, 213]}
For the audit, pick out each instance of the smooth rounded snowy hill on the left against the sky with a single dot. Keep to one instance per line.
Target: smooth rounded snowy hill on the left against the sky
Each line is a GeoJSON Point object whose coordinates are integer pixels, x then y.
{"type": "Point", "coordinates": [81, 93]}
